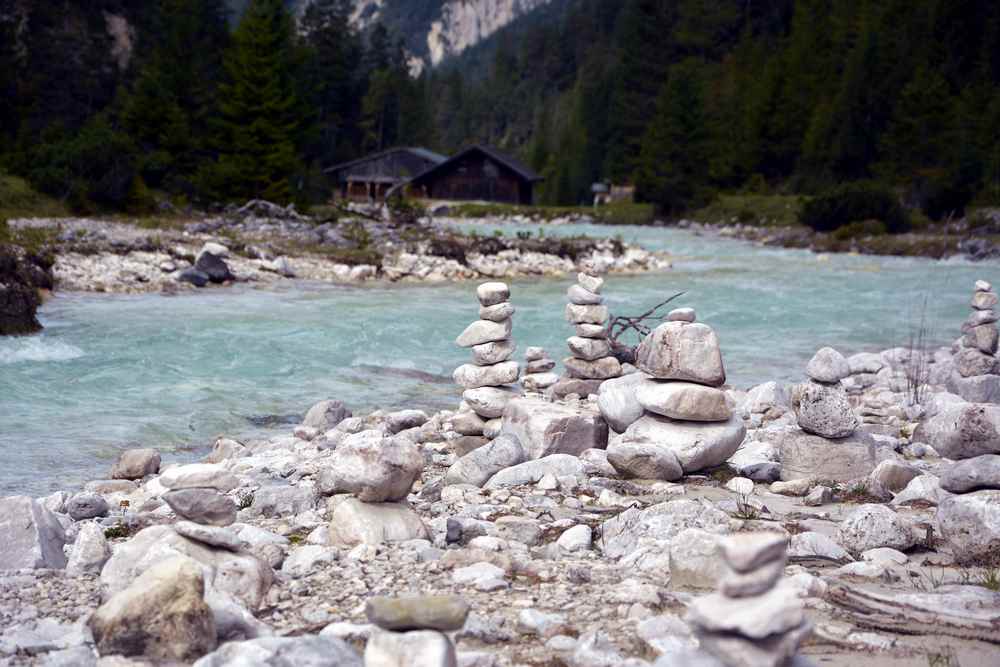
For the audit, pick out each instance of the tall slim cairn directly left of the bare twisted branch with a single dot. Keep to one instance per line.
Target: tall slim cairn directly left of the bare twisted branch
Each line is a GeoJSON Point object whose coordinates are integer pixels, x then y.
{"type": "Point", "coordinates": [591, 362]}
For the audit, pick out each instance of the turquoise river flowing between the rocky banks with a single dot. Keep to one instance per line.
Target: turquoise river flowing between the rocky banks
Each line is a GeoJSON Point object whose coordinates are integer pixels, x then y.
{"type": "Point", "coordinates": [172, 372]}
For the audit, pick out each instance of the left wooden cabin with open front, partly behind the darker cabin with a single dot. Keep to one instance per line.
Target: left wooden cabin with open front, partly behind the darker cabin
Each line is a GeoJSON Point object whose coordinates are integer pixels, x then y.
{"type": "Point", "coordinates": [370, 177]}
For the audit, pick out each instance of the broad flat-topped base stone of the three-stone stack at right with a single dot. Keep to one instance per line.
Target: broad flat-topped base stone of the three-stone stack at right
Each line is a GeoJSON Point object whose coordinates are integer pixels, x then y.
{"type": "Point", "coordinates": [805, 456]}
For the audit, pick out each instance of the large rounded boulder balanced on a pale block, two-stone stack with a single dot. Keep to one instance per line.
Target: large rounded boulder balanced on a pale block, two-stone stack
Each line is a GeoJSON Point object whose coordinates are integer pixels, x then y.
{"type": "Point", "coordinates": [378, 471]}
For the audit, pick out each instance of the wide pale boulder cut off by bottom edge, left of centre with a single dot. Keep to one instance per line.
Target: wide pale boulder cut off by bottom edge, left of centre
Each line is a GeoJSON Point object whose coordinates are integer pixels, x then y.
{"type": "Point", "coordinates": [306, 651]}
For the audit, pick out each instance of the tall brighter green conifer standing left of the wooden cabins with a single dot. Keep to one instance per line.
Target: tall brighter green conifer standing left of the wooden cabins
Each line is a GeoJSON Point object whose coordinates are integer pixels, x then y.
{"type": "Point", "coordinates": [260, 114]}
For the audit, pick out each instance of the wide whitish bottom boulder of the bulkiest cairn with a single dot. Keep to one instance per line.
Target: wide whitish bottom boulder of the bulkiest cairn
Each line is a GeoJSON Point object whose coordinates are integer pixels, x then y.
{"type": "Point", "coordinates": [697, 445]}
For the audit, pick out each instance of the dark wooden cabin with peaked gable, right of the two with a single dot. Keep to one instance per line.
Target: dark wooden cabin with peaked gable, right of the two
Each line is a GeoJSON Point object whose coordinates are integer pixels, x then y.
{"type": "Point", "coordinates": [478, 173]}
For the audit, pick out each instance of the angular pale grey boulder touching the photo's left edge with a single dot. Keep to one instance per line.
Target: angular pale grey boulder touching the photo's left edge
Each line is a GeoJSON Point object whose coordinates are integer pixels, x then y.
{"type": "Point", "coordinates": [32, 535]}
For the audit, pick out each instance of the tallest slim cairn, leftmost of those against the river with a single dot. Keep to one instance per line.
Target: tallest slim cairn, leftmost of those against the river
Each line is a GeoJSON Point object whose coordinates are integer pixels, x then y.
{"type": "Point", "coordinates": [487, 380]}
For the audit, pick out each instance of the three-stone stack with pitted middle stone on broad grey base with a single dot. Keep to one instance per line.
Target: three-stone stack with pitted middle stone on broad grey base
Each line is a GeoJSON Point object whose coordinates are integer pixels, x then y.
{"type": "Point", "coordinates": [830, 444]}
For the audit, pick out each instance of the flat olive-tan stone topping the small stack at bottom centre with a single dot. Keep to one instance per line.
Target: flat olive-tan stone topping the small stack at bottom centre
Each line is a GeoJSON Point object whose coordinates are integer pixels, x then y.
{"type": "Point", "coordinates": [417, 612]}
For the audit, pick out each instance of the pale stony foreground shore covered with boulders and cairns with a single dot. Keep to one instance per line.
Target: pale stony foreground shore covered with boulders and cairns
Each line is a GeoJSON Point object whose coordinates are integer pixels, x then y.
{"type": "Point", "coordinates": [667, 519]}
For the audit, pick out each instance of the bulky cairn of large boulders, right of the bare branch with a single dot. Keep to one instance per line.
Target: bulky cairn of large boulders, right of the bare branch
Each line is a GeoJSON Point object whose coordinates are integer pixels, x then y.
{"type": "Point", "coordinates": [673, 418]}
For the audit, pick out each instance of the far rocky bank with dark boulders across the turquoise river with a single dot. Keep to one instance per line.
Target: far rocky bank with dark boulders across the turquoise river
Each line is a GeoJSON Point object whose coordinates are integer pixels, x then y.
{"type": "Point", "coordinates": [253, 245]}
